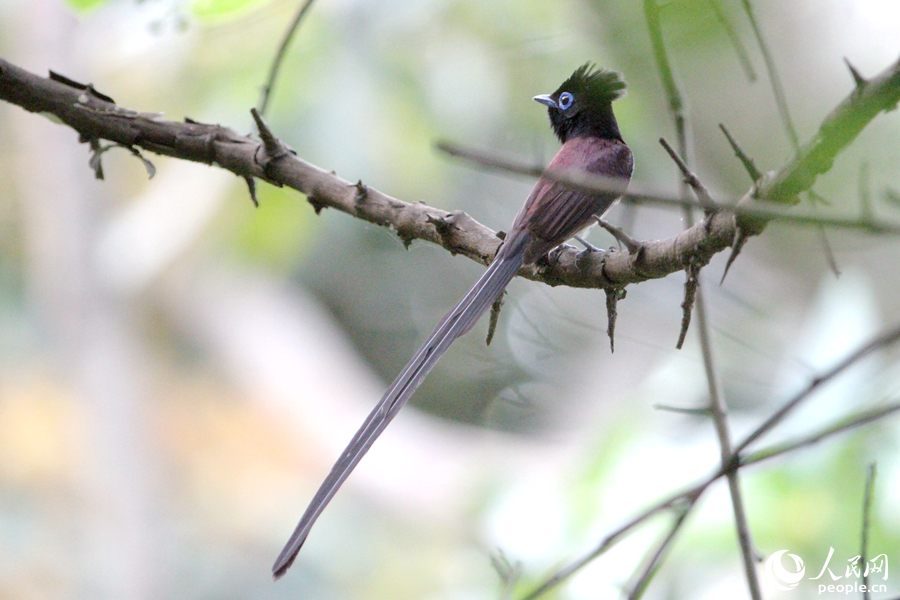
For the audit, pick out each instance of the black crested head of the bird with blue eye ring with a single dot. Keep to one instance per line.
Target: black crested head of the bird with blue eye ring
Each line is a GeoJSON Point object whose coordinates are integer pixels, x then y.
{"type": "Point", "coordinates": [582, 106]}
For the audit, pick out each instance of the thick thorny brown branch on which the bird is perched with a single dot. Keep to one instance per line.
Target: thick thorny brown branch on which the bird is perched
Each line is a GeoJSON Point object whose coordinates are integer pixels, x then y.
{"type": "Point", "coordinates": [94, 118]}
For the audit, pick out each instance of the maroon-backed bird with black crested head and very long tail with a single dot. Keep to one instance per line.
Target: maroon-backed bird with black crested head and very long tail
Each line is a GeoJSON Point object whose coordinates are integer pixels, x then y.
{"type": "Point", "coordinates": [581, 116]}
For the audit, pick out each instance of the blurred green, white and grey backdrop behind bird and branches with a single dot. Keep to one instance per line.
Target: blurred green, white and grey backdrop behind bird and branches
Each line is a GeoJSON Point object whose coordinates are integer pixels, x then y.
{"type": "Point", "coordinates": [179, 369]}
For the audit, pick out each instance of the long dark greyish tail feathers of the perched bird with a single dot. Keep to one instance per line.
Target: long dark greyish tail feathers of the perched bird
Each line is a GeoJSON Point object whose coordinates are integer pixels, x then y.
{"type": "Point", "coordinates": [457, 322]}
